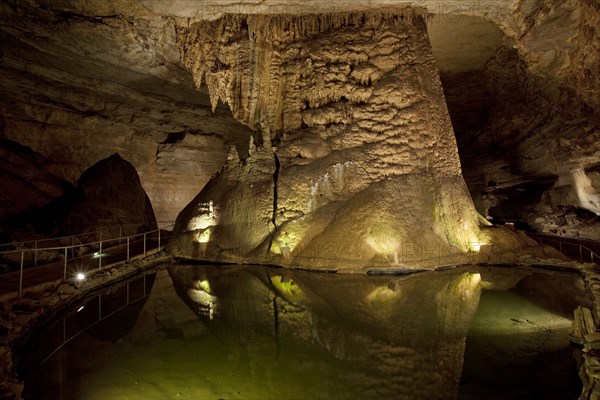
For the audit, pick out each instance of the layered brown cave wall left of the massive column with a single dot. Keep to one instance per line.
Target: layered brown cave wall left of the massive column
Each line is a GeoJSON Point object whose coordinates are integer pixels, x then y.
{"type": "Point", "coordinates": [81, 81]}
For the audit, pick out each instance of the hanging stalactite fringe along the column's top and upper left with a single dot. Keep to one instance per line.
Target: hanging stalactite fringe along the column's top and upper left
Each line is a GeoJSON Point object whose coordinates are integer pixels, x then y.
{"type": "Point", "coordinates": [257, 96]}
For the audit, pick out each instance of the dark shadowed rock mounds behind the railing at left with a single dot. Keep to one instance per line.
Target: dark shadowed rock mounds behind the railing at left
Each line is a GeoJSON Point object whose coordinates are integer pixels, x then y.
{"type": "Point", "coordinates": [109, 200]}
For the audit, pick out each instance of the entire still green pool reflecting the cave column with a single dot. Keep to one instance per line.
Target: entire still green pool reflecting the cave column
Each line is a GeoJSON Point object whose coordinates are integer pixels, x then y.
{"type": "Point", "coordinates": [232, 332]}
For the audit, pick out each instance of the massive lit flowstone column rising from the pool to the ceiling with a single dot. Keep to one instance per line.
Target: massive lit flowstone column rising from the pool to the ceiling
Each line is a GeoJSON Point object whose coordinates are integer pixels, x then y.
{"type": "Point", "coordinates": [356, 164]}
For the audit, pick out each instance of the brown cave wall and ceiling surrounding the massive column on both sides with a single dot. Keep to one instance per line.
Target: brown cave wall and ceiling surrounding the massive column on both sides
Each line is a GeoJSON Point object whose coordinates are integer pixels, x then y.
{"type": "Point", "coordinates": [82, 80]}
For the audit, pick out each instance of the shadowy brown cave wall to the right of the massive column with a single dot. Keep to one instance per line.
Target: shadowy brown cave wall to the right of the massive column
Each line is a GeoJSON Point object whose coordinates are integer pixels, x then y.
{"type": "Point", "coordinates": [527, 127]}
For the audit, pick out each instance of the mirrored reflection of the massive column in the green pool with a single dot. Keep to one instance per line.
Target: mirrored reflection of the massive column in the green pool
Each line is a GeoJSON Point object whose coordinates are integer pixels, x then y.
{"type": "Point", "coordinates": [372, 337]}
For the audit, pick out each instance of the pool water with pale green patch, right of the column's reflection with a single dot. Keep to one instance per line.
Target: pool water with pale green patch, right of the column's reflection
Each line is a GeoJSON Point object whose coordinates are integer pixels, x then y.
{"type": "Point", "coordinates": [518, 350]}
